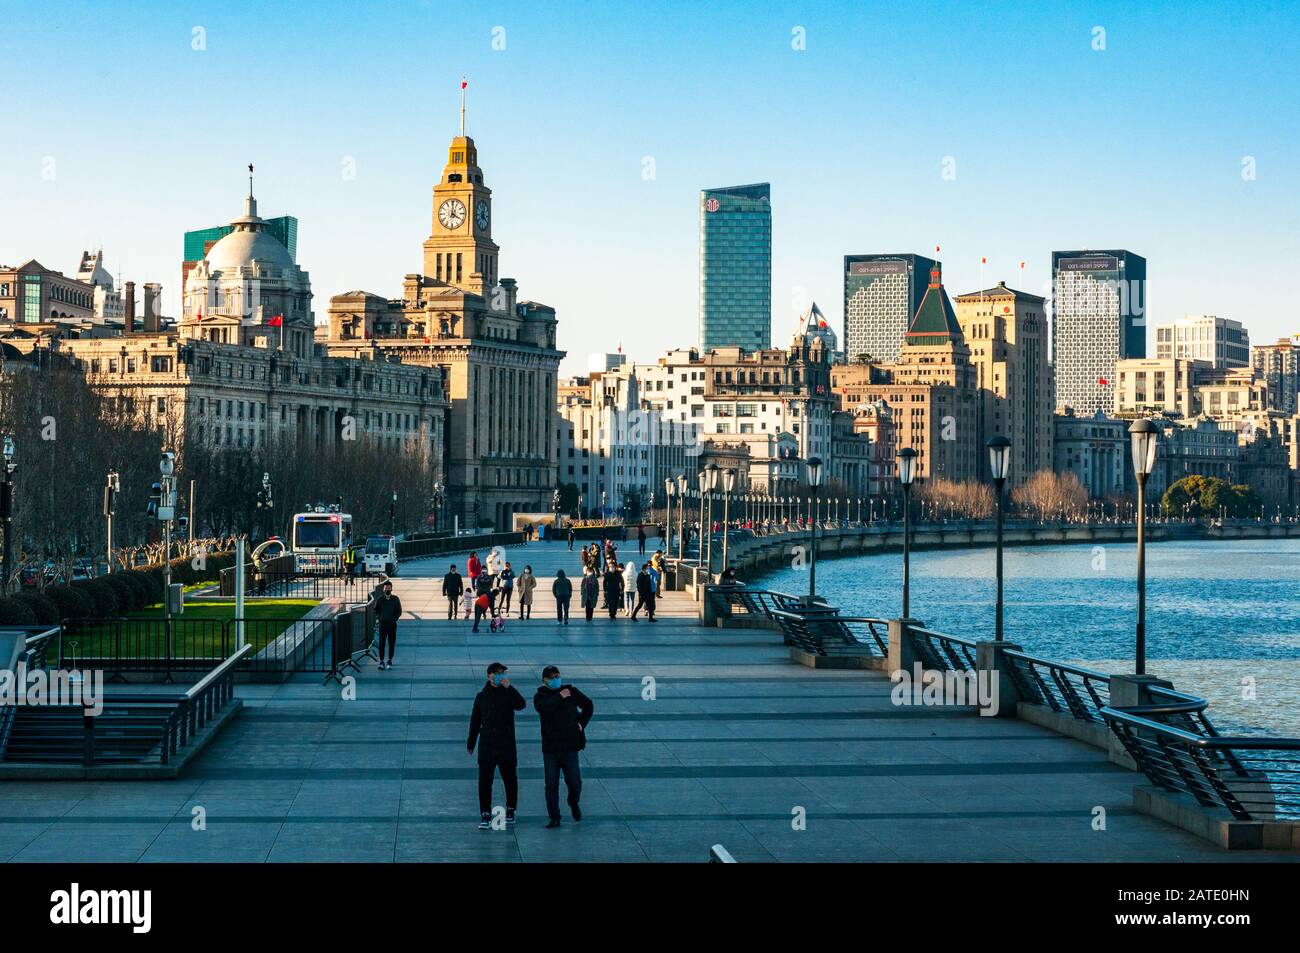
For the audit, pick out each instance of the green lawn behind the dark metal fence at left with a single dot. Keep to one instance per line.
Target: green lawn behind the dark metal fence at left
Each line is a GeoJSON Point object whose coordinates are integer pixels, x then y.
{"type": "Point", "coordinates": [206, 630]}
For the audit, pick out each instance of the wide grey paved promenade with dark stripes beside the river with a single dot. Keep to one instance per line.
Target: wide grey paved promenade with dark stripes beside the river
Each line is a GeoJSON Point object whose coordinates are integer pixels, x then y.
{"type": "Point", "coordinates": [736, 742]}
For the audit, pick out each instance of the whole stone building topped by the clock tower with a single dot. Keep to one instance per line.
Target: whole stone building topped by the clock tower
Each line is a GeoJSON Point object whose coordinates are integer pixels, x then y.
{"type": "Point", "coordinates": [496, 353]}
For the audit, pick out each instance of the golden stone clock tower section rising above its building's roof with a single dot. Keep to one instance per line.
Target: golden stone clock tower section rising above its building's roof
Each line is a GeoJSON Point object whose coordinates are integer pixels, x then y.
{"type": "Point", "coordinates": [460, 250]}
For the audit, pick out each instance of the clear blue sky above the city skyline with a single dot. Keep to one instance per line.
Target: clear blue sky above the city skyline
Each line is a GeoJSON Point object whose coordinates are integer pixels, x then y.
{"type": "Point", "coordinates": [1055, 145]}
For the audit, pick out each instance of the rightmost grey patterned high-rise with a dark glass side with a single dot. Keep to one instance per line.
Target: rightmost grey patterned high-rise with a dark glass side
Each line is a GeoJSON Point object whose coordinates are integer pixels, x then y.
{"type": "Point", "coordinates": [1099, 317]}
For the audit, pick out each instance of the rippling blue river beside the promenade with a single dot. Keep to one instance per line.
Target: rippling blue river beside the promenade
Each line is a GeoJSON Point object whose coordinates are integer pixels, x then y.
{"type": "Point", "coordinates": [1223, 618]}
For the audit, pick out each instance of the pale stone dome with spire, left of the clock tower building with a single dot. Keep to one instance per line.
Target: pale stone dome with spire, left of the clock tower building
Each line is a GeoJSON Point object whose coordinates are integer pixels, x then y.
{"type": "Point", "coordinates": [248, 291]}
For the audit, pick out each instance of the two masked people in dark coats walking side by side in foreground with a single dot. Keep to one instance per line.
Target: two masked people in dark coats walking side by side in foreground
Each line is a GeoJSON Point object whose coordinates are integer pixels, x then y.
{"type": "Point", "coordinates": [564, 712]}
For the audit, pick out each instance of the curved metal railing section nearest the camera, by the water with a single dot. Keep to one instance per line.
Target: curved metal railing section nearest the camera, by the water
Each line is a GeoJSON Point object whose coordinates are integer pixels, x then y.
{"type": "Point", "coordinates": [1253, 778]}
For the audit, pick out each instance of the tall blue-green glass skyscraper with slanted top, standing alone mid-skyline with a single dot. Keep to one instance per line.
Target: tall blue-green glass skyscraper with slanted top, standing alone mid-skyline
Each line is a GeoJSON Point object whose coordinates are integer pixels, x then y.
{"type": "Point", "coordinates": [736, 267]}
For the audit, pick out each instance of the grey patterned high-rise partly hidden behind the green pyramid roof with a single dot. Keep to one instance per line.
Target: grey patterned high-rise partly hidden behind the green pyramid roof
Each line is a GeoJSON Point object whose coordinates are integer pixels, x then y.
{"type": "Point", "coordinates": [881, 296]}
